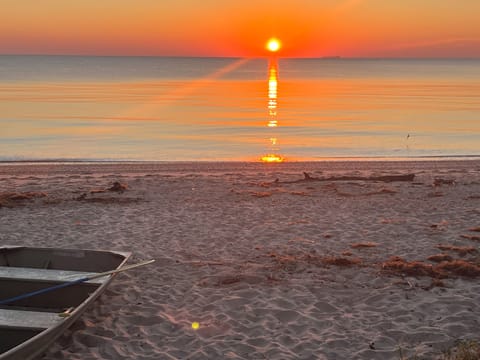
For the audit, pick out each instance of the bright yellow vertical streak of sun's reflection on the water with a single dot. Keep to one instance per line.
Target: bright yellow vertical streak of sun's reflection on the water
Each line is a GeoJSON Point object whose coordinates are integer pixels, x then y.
{"type": "Point", "coordinates": [272, 155]}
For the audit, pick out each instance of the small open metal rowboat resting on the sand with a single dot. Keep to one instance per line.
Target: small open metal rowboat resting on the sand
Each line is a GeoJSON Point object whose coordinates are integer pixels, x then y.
{"type": "Point", "coordinates": [30, 323]}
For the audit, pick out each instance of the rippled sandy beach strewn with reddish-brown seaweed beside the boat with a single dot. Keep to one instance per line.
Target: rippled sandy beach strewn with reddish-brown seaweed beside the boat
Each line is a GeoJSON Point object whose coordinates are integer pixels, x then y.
{"type": "Point", "coordinates": [347, 261]}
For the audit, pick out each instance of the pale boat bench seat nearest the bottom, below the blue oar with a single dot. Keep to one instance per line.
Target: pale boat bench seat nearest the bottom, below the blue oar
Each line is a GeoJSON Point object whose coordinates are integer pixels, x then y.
{"type": "Point", "coordinates": [21, 319]}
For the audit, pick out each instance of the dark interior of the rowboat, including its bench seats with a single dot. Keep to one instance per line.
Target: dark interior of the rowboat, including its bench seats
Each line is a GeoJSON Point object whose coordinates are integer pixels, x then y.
{"type": "Point", "coordinates": [24, 270]}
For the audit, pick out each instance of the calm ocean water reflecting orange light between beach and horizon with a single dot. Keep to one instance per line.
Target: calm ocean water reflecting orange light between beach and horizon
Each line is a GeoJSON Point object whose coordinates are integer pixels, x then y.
{"type": "Point", "coordinates": [150, 108]}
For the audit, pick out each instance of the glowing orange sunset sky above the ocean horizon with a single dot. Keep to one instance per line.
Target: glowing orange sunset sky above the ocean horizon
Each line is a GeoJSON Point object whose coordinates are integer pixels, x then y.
{"type": "Point", "coordinates": [307, 28]}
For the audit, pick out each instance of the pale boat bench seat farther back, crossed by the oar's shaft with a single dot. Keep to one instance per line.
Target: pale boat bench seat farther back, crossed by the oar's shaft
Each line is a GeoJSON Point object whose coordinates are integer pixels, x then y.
{"type": "Point", "coordinates": [21, 273]}
